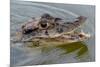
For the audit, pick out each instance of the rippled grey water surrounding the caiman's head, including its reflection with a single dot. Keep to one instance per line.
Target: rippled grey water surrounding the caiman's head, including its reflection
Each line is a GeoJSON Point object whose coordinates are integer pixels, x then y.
{"type": "Point", "coordinates": [21, 11]}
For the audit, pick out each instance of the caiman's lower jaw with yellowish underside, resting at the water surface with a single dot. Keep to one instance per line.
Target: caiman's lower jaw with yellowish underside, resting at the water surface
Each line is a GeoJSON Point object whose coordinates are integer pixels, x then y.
{"type": "Point", "coordinates": [61, 39]}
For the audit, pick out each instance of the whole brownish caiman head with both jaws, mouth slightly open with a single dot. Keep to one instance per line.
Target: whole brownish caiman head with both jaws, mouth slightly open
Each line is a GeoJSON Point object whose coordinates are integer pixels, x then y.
{"type": "Point", "coordinates": [52, 30]}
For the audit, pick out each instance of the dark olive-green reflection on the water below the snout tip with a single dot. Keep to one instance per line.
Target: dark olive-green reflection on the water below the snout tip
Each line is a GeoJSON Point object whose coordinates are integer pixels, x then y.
{"type": "Point", "coordinates": [73, 47]}
